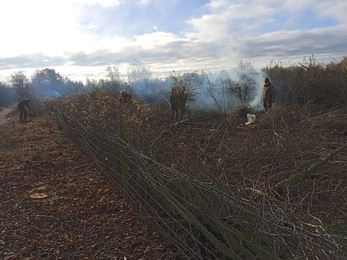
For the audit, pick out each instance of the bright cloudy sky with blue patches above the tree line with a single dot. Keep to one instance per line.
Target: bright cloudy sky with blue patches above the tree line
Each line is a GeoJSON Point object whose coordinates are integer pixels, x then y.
{"type": "Point", "coordinates": [80, 38]}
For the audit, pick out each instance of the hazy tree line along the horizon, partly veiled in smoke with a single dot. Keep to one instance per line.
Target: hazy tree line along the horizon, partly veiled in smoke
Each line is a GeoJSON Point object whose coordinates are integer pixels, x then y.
{"type": "Point", "coordinates": [302, 83]}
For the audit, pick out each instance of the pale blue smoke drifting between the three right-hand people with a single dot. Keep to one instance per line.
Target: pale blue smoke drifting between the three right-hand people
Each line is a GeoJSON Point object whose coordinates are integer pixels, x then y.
{"type": "Point", "coordinates": [211, 90]}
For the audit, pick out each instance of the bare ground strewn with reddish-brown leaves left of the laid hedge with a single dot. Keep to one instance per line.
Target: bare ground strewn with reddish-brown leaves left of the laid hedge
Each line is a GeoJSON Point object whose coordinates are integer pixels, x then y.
{"type": "Point", "coordinates": [57, 205]}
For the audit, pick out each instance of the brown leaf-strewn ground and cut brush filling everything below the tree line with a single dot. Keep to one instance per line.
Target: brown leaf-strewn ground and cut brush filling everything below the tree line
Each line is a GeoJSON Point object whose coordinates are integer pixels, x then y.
{"type": "Point", "coordinates": [178, 177]}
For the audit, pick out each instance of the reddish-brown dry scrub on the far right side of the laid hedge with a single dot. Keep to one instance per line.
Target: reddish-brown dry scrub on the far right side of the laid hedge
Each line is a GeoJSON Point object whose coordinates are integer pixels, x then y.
{"type": "Point", "coordinates": [282, 142]}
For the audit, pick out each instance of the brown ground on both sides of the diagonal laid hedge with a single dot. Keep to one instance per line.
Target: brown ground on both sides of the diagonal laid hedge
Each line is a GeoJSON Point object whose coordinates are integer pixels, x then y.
{"type": "Point", "coordinates": [57, 205]}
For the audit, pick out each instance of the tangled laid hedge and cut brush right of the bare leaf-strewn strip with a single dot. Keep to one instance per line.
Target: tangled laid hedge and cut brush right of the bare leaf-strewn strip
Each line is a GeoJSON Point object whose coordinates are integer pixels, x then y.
{"type": "Point", "coordinates": [218, 168]}
